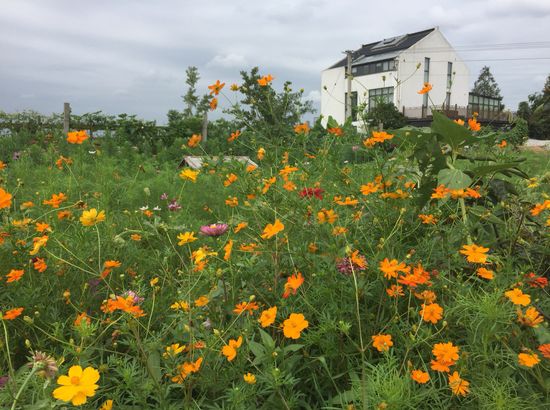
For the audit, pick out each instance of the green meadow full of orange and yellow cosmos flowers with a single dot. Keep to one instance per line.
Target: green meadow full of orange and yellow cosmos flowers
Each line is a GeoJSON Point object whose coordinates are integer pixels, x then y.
{"type": "Point", "coordinates": [340, 268]}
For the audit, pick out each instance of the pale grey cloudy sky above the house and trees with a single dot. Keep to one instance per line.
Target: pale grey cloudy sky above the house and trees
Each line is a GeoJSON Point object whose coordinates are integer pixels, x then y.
{"type": "Point", "coordinates": [131, 55]}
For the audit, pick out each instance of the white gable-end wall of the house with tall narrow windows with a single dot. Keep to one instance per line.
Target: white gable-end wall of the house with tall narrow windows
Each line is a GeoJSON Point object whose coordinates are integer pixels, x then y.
{"type": "Point", "coordinates": [440, 52]}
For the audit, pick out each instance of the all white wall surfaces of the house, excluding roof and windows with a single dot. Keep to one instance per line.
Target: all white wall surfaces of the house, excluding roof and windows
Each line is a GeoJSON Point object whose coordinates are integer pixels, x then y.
{"type": "Point", "coordinates": [406, 80]}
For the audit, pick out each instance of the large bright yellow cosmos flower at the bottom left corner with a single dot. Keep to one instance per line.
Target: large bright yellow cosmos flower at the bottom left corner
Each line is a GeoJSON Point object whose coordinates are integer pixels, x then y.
{"type": "Point", "coordinates": [77, 386]}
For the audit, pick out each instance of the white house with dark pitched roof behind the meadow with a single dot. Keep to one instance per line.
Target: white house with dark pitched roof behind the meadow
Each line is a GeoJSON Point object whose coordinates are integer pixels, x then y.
{"type": "Point", "coordinates": [393, 70]}
